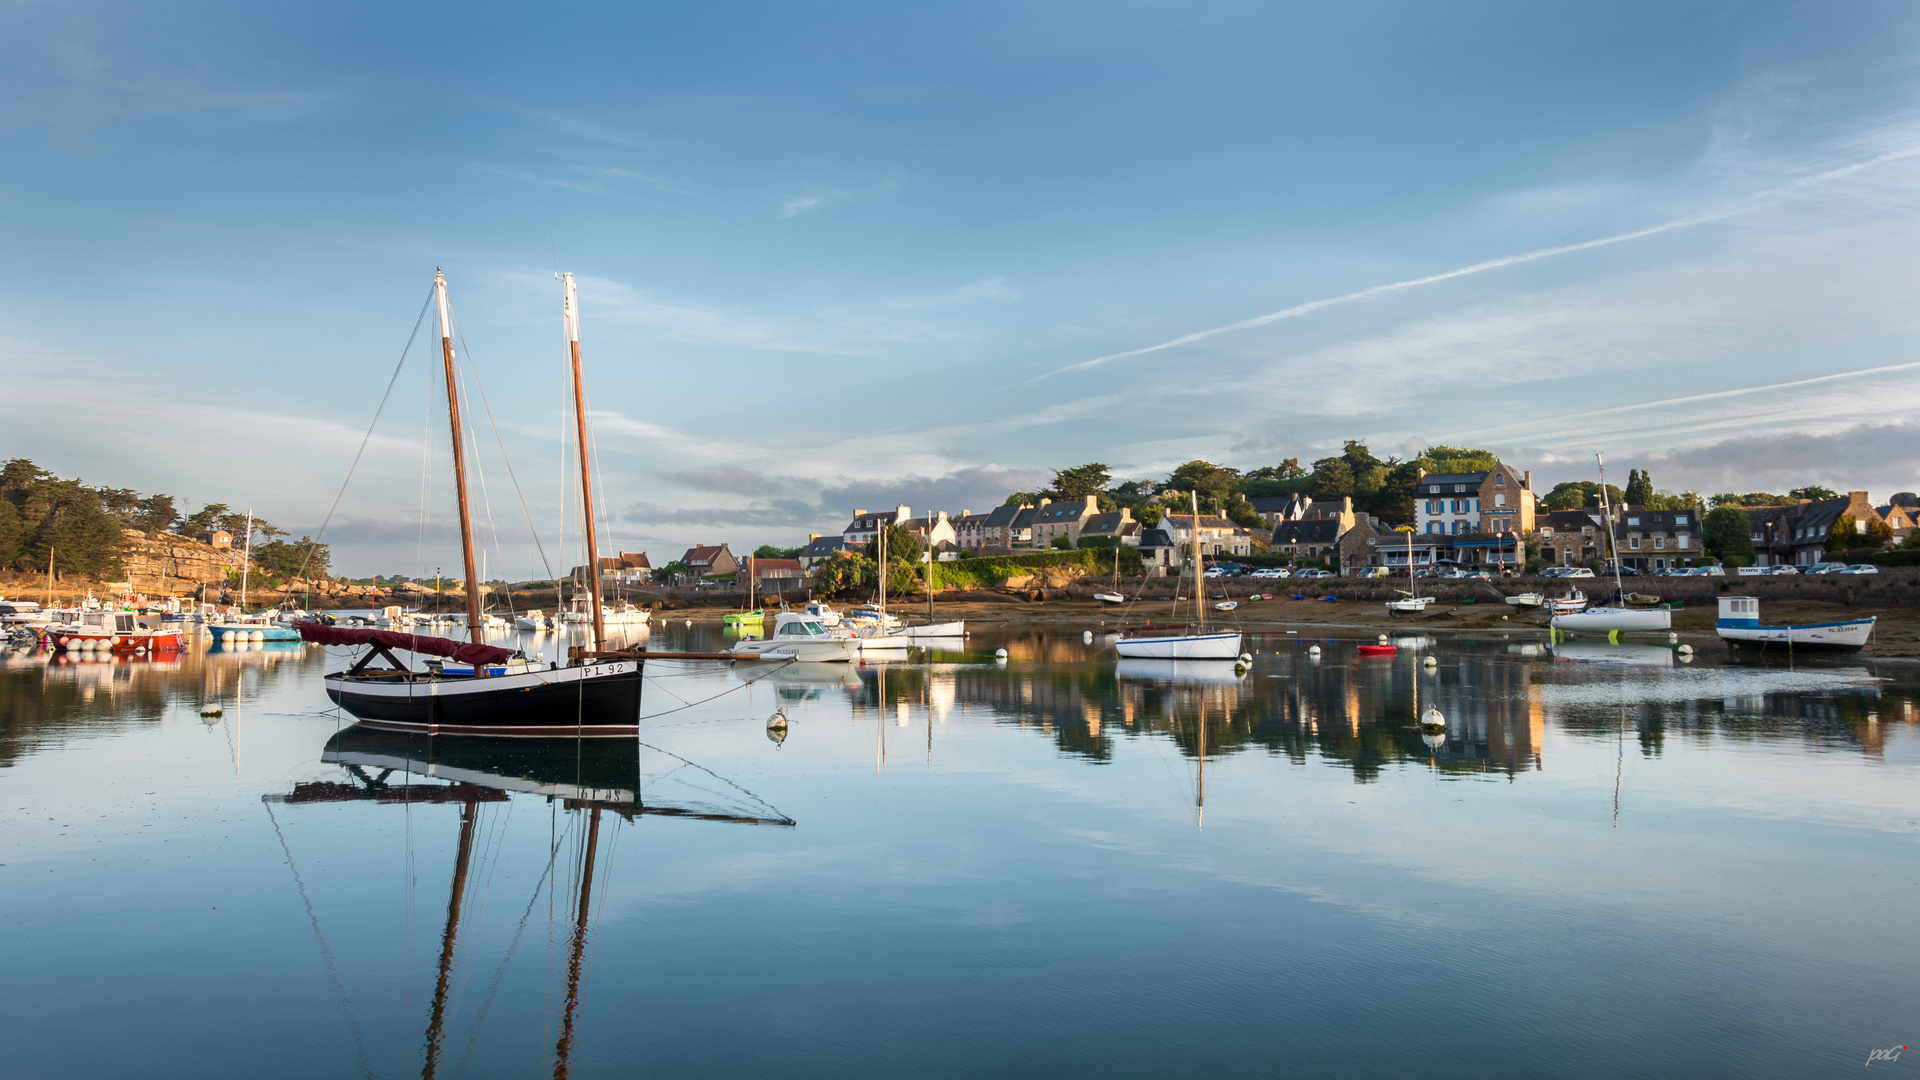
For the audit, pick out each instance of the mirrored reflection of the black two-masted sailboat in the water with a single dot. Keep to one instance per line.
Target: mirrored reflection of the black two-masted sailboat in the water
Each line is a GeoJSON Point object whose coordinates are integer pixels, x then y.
{"type": "Point", "coordinates": [588, 777]}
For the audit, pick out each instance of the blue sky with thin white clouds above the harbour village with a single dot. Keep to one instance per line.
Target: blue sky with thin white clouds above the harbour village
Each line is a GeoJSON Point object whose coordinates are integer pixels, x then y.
{"type": "Point", "coordinates": [832, 255]}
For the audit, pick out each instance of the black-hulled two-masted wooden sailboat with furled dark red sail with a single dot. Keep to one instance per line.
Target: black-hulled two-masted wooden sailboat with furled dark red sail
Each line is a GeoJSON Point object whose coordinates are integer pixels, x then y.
{"type": "Point", "coordinates": [477, 689]}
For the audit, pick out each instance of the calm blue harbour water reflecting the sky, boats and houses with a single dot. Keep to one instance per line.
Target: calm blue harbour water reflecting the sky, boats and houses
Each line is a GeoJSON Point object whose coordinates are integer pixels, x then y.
{"type": "Point", "coordinates": [1618, 864]}
